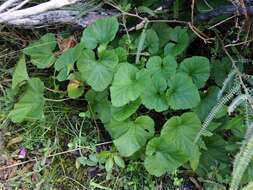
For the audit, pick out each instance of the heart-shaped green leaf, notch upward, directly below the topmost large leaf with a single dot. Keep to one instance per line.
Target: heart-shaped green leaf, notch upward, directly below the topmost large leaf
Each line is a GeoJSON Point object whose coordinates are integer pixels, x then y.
{"type": "Point", "coordinates": [98, 73]}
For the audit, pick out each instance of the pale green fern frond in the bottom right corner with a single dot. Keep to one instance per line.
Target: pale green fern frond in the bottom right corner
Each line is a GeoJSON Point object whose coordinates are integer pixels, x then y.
{"type": "Point", "coordinates": [241, 163]}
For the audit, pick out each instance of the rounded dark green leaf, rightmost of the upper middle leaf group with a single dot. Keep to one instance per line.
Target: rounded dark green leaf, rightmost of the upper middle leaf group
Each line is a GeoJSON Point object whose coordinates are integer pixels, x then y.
{"type": "Point", "coordinates": [197, 68]}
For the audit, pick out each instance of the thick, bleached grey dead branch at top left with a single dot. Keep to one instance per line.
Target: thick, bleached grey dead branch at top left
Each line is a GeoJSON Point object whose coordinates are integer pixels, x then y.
{"type": "Point", "coordinates": [45, 14]}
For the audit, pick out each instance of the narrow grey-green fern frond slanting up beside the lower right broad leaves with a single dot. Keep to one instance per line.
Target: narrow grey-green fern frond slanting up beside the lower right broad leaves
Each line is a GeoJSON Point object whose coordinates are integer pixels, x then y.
{"type": "Point", "coordinates": [216, 109]}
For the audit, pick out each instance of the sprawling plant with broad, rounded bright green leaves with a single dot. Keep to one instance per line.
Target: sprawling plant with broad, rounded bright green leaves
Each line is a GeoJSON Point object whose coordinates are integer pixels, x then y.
{"type": "Point", "coordinates": [118, 89]}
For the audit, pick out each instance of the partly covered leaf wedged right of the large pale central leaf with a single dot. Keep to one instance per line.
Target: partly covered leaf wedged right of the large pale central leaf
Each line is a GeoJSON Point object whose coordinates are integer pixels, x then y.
{"type": "Point", "coordinates": [154, 97]}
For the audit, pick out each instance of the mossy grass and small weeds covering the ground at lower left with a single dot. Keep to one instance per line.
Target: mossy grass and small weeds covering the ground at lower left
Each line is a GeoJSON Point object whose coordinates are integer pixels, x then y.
{"type": "Point", "coordinates": [63, 129]}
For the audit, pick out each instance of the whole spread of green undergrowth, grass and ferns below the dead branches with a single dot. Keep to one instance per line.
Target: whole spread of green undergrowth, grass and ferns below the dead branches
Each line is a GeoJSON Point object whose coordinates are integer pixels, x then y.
{"type": "Point", "coordinates": [153, 108]}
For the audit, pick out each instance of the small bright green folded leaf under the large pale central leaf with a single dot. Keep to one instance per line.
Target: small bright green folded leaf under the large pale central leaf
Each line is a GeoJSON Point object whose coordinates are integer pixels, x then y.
{"type": "Point", "coordinates": [124, 112]}
